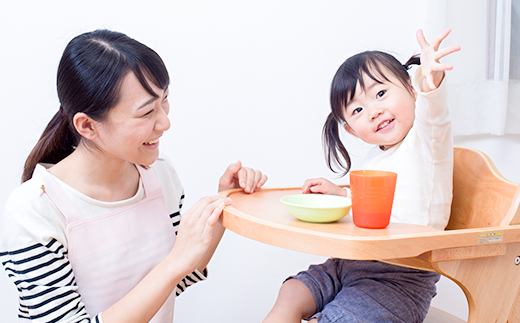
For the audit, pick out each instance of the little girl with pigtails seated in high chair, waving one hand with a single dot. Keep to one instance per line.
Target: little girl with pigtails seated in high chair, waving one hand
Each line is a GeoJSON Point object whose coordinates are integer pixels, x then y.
{"type": "Point", "coordinates": [373, 98]}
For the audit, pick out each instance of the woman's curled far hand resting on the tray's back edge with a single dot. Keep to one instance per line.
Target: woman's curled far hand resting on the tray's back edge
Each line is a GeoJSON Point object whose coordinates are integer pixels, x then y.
{"type": "Point", "coordinates": [237, 176]}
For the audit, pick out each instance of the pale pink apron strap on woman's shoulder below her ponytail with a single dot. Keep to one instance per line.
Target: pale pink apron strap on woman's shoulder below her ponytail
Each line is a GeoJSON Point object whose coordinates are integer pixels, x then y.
{"type": "Point", "coordinates": [59, 198]}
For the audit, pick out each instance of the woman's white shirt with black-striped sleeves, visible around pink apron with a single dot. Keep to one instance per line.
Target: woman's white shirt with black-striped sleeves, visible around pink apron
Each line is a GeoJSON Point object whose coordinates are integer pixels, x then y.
{"type": "Point", "coordinates": [33, 247]}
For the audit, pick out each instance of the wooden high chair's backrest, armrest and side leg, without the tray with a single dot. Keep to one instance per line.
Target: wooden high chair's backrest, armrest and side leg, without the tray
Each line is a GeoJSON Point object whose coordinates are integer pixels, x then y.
{"type": "Point", "coordinates": [488, 271]}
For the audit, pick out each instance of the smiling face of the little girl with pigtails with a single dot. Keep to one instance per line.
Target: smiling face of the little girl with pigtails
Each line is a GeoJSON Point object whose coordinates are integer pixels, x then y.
{"type": "Point", "coordinates": [382, 113]}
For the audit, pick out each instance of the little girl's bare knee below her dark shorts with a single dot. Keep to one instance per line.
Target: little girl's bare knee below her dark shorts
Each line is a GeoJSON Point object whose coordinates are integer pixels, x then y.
{"type": "Point", "coordinates": [294, 303]}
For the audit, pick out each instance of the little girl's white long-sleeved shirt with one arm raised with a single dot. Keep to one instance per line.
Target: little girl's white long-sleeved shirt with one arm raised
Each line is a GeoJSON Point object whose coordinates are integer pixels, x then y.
{"type": "Point", "coordinates": [423, 162]}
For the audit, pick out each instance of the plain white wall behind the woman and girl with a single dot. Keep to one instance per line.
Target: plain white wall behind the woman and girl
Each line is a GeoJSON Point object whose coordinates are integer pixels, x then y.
{"type": "Point", "coordinates": [250, 81]}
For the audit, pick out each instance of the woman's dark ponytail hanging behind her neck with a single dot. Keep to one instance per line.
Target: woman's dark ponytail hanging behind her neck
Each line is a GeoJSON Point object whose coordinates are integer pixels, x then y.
{"type": "Point", "coordinates": [56, 143]}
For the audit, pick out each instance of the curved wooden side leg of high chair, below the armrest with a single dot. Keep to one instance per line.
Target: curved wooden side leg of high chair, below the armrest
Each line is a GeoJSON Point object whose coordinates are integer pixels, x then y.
{"type": "Point", "coordinates": [491, 284]}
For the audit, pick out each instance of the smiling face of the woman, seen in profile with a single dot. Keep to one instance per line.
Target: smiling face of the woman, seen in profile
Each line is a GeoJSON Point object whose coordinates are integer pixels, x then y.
{"type": "Point", "coordinates": [133, 127]}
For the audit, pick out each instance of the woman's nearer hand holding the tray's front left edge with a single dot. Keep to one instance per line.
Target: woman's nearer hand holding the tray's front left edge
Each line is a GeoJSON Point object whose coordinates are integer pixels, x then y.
{"type": "Point", "coordinates": [196, 231]}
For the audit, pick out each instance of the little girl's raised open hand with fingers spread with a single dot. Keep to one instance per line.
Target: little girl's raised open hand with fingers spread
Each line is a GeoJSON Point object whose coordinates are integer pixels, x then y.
{"type": "Point", "coordinates": [432, 69]}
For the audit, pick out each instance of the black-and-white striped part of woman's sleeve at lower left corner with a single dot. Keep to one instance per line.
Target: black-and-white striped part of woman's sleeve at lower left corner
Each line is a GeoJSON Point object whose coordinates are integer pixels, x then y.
{"type": "Point", "coordinates": [45, 282]}
